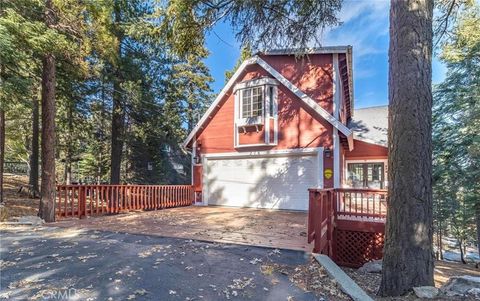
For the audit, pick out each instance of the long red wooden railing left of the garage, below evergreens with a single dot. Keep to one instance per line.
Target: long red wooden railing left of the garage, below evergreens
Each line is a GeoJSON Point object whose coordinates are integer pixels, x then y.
{"type": "Point", "coordinates": [89, 200]}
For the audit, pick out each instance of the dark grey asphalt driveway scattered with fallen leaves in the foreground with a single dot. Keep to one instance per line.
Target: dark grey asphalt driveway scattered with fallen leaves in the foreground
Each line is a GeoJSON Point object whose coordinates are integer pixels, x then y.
{"type": "Point", "coordinates": [39, 263]}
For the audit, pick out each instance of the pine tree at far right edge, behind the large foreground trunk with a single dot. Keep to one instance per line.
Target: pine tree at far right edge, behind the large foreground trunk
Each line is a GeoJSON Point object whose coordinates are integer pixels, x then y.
{"type": "Point", "coordinates": [456, 131]}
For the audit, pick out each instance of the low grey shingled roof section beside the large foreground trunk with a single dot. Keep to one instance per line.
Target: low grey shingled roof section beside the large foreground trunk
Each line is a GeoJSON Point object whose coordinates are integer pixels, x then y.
{"type": "Point", "coordinates": [370, 125]}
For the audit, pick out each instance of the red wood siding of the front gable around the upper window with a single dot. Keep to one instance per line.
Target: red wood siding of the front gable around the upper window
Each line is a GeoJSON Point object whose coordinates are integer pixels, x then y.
{"type": "Point", "coordinates": [297, 128]}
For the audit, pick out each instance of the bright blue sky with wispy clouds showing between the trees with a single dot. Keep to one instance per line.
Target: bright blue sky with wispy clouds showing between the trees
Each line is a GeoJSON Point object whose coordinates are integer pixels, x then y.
{"type": "Point", "coordinates": [365, 27]}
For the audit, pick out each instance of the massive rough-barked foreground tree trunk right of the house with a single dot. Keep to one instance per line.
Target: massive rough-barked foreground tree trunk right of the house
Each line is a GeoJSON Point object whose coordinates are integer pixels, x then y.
{"type": "Point", "coordinates": [408, 254]}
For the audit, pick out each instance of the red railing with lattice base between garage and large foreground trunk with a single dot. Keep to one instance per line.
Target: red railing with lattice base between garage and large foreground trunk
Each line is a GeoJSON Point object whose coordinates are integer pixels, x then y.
{"type": "Point", "coordinates": [347, 224]}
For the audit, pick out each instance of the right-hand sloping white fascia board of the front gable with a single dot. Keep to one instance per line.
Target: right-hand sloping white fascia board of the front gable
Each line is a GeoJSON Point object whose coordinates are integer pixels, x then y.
{"type": "Point", "coordinates": [305, 98]}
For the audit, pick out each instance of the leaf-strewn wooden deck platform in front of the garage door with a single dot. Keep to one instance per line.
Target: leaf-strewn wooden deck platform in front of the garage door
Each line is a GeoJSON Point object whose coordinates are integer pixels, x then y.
{"type": "Point", "coordinates": [265, 228]}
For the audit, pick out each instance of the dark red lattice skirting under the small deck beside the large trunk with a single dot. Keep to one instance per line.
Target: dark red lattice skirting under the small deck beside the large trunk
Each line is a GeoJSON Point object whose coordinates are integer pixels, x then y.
{"type": "Point", "coordinates": [354, 248]}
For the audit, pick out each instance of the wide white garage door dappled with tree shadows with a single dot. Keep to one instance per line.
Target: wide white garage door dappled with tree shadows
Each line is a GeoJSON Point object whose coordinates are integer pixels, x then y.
{"type": "Point", "coordinates": [266, 182]}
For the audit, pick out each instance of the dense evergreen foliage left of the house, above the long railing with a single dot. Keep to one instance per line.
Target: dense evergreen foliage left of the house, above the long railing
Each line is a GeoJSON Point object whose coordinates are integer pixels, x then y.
{"type": "Point", "coordinates": [104, 50]}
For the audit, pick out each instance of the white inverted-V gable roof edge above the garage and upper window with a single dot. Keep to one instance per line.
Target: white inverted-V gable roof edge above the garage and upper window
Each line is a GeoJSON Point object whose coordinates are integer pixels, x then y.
{"type": "Point", "coordinates": [307, 100]}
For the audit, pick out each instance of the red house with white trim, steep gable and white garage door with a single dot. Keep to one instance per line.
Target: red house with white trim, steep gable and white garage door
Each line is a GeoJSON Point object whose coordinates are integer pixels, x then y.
{"type": "Point", "coordinates": [282, 125]}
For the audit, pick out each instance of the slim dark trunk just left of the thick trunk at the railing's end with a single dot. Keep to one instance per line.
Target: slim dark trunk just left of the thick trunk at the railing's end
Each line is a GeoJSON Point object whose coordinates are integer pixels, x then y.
{"type": "Point", "coordinates": [34, 164]}
